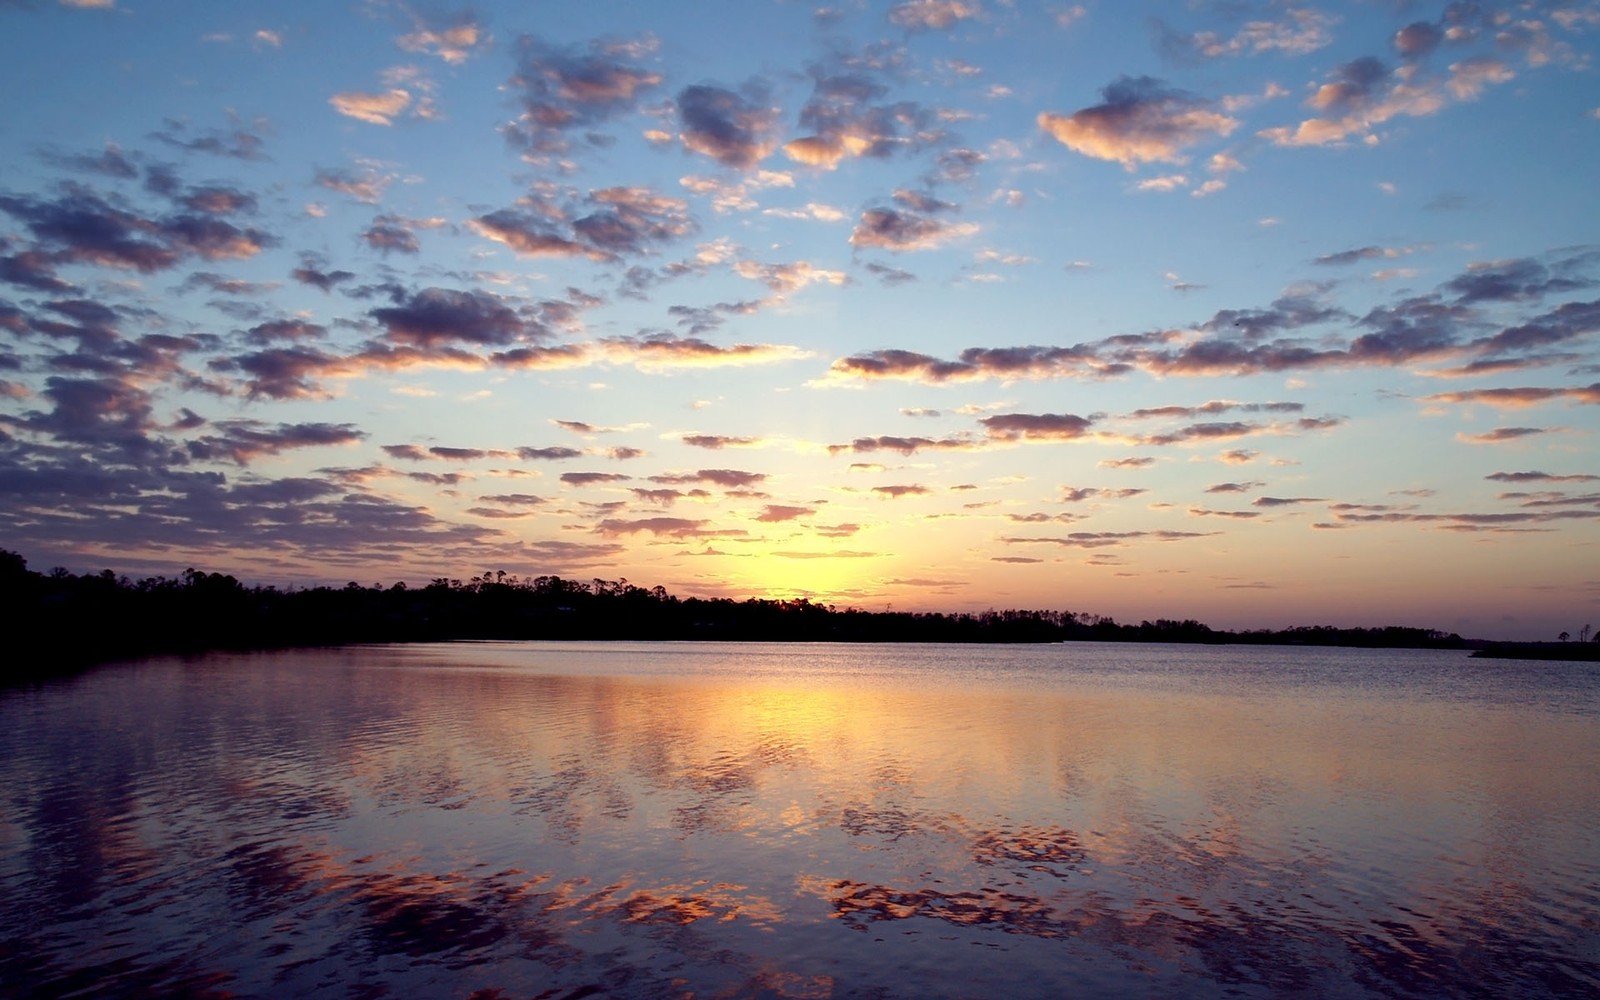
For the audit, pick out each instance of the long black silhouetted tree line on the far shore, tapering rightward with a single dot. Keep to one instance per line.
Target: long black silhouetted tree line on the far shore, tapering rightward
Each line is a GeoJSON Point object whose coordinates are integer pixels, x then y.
{"type": "Point", "coordinates": [90, 618]}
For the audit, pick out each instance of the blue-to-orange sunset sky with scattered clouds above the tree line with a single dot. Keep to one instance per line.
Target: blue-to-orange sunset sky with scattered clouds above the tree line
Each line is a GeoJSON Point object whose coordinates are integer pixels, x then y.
{"type": "Point", "coordinates": [1250, 313]}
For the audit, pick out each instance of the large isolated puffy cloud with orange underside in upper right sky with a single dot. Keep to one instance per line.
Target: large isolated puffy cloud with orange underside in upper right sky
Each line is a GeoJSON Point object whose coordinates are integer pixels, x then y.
{"type": "Point", "coordinates": [1142, 121]}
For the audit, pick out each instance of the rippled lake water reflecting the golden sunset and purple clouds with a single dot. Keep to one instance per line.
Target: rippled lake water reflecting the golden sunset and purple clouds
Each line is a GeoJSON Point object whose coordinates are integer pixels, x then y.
{"type": "Point", "coordinates": [698, 820]}
